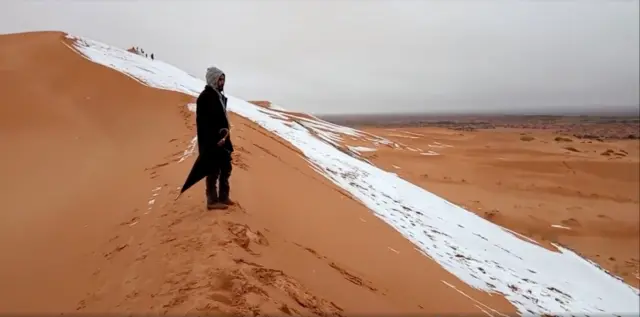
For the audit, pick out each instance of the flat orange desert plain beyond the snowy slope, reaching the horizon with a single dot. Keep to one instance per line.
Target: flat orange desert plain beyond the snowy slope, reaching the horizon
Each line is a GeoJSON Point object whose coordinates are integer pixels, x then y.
{"type": "Point", "coordinates": [568, 180]}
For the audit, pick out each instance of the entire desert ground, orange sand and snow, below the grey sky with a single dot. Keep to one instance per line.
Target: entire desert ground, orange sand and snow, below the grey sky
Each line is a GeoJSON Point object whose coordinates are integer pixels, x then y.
{"type": "Point", "coordinates": [334, 218]}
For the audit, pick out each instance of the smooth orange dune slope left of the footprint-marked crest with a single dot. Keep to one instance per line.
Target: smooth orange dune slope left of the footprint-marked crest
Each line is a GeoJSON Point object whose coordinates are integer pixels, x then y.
{"type": "Point", "coordinates": [71, 147]}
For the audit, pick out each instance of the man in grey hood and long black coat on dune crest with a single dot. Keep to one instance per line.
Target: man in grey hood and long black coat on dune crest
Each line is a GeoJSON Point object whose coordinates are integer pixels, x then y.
{"type": "Point", "coordinates": [214, 141]}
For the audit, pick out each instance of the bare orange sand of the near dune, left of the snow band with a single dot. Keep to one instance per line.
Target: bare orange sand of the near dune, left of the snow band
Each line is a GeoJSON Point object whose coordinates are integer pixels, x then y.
{"type": "Point", "coordinates": [85, 148]}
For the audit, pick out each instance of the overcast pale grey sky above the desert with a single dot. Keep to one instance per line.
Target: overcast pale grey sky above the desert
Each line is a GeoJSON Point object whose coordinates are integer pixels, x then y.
{"type": "Point", "coordinates": [351, 56]}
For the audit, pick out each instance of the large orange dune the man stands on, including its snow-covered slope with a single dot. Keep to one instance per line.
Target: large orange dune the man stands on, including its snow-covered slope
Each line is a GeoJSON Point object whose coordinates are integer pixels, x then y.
{"type": "Point", "coordinates": [94, 226]}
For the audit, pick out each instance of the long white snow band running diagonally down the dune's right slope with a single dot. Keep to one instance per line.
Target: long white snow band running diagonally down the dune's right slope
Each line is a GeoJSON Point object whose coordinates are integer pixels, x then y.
{"type": "Point", "coordinates": [480, 253]}
